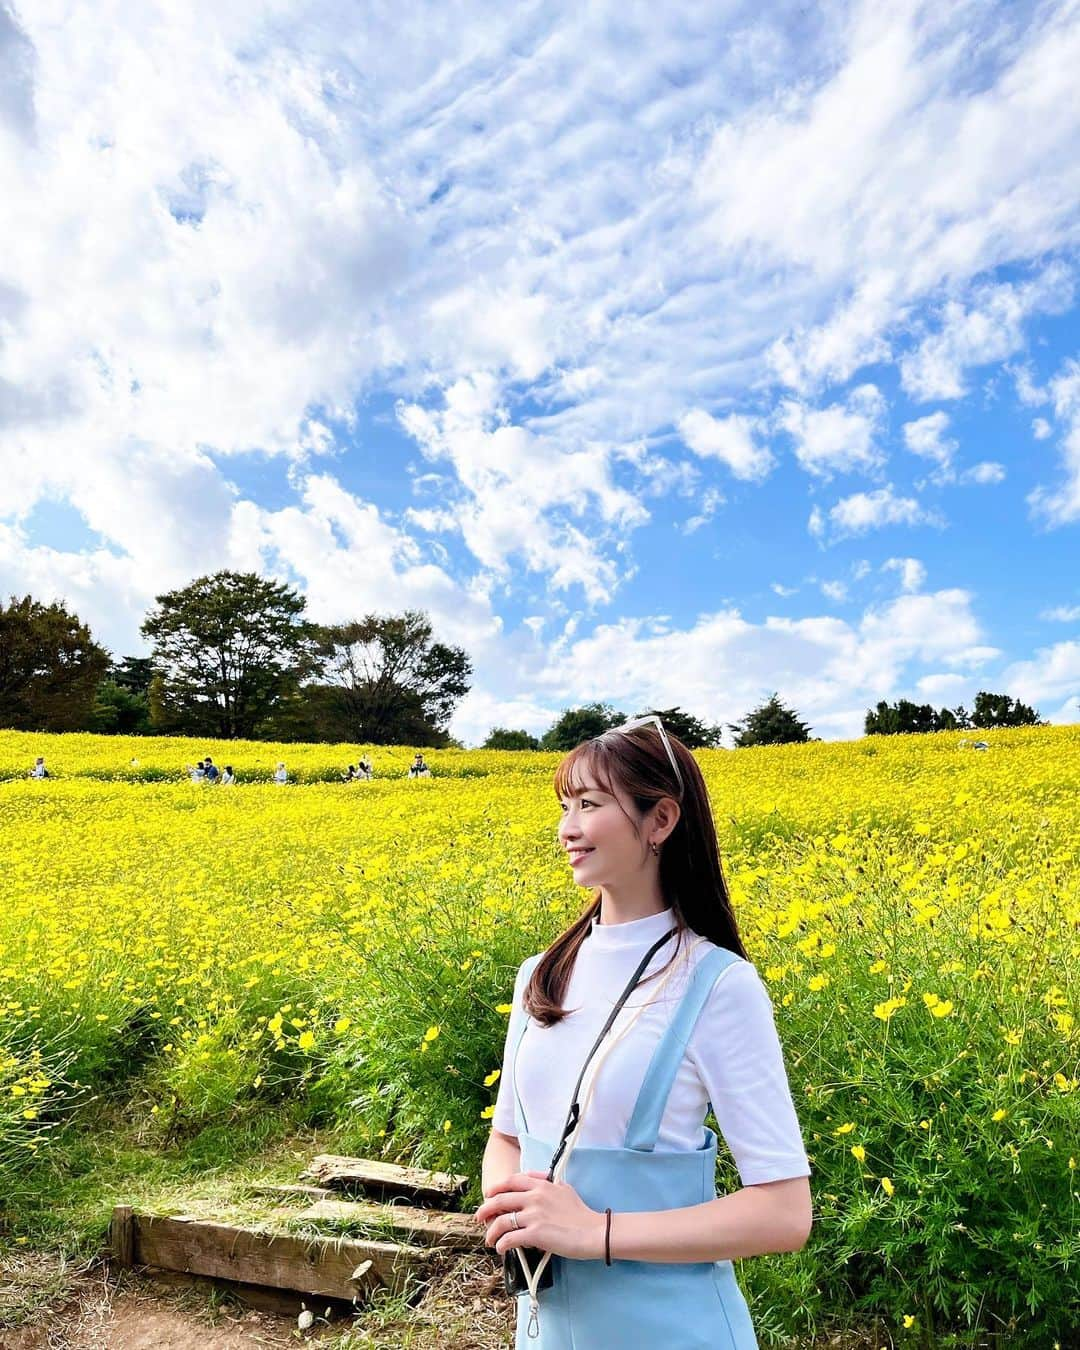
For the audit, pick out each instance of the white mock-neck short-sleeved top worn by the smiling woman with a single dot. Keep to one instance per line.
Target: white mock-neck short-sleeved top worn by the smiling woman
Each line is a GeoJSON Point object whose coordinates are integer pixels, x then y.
{"type": "Point", "coordinates": [734, 1059]}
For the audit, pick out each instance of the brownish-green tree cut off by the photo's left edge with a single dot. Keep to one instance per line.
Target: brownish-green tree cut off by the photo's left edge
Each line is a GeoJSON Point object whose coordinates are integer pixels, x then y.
{"type": "Point", "coordinates": [51, 668]}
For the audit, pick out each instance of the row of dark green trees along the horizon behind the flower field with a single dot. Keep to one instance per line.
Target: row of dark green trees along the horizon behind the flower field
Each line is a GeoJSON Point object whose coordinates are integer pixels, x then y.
{"type": "Point", "coordinates": [236, 657]}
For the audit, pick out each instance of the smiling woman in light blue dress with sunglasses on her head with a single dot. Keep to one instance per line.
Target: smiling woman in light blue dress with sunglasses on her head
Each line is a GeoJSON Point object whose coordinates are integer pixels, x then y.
{"type": "Point", "coordinates": [641, 1244]}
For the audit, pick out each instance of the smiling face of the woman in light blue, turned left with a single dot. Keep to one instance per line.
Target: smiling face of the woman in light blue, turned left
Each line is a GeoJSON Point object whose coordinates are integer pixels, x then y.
{"type": "Point", "coordinates": [599, 835]}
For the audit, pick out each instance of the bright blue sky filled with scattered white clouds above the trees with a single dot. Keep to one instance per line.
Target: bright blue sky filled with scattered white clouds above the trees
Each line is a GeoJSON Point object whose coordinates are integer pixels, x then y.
{"type": "Point", "coordinates": [662, 356]}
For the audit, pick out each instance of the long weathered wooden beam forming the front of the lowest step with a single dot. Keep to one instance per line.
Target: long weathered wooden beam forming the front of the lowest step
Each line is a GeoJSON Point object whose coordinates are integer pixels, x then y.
{"type": "Point", "coordinates": [323, 1267]}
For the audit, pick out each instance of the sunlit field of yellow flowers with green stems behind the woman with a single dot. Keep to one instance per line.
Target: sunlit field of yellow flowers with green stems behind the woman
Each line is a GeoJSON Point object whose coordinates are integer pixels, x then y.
{"type": "Point", "coordinates": [345, 954]}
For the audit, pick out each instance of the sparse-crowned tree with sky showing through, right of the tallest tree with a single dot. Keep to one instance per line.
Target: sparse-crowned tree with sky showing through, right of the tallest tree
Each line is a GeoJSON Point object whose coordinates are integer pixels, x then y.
{"type": "Point", "coordinates": [387, 682]}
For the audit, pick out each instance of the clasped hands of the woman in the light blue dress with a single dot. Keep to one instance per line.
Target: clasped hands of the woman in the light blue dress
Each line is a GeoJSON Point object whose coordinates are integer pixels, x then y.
{"type": "Point", "coordinates": [551, 1216]}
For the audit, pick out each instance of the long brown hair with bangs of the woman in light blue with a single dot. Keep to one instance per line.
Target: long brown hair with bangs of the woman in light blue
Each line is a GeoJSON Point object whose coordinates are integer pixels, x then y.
{"type": "Point", "coordinates": [692, 875]}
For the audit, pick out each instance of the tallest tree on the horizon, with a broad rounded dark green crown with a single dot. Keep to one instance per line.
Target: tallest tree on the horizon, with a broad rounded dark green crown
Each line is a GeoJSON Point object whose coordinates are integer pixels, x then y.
{"type": "Point", "coordinates": [227, 649]}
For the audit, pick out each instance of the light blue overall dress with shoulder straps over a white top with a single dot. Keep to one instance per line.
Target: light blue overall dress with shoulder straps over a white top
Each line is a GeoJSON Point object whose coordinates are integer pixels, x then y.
{"type": "Point", "coordinates": [641, 1305]}
